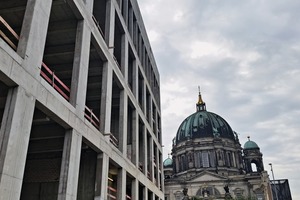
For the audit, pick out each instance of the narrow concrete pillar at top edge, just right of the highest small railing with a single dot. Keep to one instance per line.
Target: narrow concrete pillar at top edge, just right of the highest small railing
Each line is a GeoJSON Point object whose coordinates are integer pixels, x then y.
{"type": "Point", "coordinates": [110, 25]}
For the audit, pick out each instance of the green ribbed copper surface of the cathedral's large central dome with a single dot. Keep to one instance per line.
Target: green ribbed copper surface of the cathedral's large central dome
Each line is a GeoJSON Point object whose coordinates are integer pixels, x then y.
{"type": "Point", "coordinates": [204, 124]}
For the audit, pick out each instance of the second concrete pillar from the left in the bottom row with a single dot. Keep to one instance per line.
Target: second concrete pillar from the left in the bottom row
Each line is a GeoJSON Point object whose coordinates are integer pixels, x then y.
{"type": "Point", "coordinates": [68, 181]}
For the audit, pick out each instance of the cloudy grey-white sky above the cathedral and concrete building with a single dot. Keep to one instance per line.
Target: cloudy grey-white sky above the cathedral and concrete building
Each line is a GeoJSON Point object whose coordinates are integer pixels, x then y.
{"type": "Point", "coordinates": [245, 55]}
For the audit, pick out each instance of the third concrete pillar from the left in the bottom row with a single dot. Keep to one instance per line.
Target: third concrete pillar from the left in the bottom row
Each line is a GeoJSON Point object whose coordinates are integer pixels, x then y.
{"type": "Point", "coordinates": [101, 177]}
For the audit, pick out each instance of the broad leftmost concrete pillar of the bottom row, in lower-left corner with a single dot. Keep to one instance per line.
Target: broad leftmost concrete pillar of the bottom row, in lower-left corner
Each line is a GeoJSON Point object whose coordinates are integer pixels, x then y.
{"type": "Point", "coordinates": [14, 137]}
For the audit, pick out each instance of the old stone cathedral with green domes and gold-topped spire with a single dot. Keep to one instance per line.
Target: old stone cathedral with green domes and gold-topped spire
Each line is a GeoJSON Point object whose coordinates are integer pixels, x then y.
{"type": "Point", "coordinates": [208, 162]}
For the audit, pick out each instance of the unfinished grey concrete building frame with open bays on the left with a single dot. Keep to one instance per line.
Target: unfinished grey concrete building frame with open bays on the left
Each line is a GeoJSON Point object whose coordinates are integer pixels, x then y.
{"type": "Point", "coordinates": [79, 102]}
